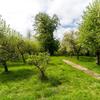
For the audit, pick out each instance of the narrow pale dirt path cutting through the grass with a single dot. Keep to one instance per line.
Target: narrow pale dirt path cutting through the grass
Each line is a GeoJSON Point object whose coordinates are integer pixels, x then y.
{"type": "Point", "coordinates": [85, 70]}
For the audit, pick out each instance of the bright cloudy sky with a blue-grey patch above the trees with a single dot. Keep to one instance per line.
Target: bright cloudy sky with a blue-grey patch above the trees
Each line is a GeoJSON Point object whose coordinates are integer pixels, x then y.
{"type": "Point", "coordinates": [20, 13]}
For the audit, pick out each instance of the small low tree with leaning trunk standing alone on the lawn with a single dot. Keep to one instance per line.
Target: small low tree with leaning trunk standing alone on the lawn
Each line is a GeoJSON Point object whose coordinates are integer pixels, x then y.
{"type": "Point", "coordinates": [40, 60]}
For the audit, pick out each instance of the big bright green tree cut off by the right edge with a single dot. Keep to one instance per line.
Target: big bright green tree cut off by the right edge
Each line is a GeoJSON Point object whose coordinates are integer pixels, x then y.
{"type": "Point", "coordinates": [90, 28]}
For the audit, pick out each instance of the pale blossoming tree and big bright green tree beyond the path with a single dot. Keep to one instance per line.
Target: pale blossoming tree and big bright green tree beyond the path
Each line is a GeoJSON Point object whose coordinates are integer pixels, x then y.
{"type": "Point", "coordinates": [85, 41]}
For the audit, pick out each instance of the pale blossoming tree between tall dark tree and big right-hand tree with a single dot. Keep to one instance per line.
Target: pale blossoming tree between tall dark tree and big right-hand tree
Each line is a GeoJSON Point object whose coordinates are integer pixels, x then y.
{"type": "Point", "coordinates": [71, 44]}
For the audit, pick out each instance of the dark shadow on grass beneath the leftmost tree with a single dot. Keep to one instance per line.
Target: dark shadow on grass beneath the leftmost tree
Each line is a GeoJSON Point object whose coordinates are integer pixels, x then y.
{"type": "Point", "coordinates": [17, 75]}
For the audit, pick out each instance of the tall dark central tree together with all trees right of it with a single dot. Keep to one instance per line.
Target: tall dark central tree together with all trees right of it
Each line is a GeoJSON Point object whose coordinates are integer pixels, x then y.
{"type": "Point", "coordinates": [85, 41]}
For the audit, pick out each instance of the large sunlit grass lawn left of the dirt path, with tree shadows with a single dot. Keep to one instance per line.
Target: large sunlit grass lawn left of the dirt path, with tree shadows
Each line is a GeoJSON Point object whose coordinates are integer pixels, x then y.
{"type": "Point", "coordinates": [65, 83]}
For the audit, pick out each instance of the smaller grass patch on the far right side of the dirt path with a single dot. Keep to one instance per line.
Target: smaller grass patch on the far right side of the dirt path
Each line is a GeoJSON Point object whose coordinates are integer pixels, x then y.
{"type": "Point", "coordinates": [88, 62]}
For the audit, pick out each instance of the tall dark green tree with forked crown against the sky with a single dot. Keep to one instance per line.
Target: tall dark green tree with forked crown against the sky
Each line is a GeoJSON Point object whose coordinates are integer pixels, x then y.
{"type": "Point", "coordinates": [44, 27]}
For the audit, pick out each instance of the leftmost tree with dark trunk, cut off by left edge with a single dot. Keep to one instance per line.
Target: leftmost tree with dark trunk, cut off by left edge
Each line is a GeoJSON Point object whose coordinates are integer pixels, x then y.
{"type": "Point", "coordinates": [7, 50]}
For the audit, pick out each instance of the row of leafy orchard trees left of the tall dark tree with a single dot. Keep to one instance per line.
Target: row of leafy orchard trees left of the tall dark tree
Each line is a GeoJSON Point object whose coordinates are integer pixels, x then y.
{"type": "Point", "coordinates": [13, 46]}
